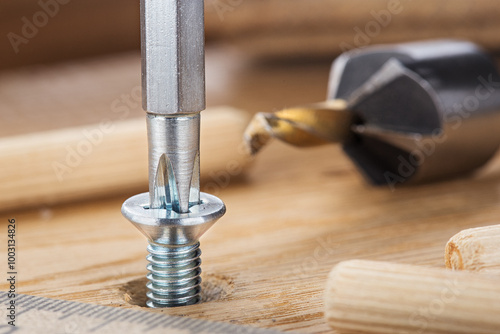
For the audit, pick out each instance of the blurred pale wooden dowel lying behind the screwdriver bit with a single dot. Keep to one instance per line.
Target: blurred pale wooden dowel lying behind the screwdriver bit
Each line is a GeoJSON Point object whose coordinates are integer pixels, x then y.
{"type": "Point", "coordinates": [101, 159]}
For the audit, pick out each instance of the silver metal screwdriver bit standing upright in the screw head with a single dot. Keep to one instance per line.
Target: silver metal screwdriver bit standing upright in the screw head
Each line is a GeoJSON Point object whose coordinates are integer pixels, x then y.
{"type": "Point", "coordinates": [173, 90]}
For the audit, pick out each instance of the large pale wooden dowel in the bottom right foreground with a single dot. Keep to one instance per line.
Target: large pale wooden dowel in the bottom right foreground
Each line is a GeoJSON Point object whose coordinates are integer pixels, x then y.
{"type": "Point", "coordinates": [380, 297]}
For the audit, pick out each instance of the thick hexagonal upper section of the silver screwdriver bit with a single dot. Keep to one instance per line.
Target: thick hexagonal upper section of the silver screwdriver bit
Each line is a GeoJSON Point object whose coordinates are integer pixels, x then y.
{"type": "Point", "coordinates": [173, 56]}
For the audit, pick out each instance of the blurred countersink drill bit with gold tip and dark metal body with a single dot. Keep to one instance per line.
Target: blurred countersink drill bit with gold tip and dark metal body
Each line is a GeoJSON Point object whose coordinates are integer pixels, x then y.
{"type": "Point", "coordinates": [419, 111]}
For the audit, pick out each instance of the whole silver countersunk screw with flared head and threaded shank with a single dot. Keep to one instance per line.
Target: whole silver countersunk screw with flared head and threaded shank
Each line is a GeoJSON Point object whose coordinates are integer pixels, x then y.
{"type": "Point", "coordinates": [174, 253]}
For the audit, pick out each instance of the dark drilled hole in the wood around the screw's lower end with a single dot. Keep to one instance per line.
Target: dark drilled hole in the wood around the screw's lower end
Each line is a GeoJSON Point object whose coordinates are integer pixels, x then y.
{"type": "Point", "coordinates": [213, 287]}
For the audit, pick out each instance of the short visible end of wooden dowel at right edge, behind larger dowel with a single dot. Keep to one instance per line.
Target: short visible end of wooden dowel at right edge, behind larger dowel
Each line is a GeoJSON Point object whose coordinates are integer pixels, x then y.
{"type": "Point", "coordinates": [475, 249]}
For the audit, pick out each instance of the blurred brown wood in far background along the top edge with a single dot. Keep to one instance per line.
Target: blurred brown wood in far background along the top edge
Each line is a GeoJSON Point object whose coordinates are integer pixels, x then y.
{"type": "Point", "coordinates": [262, 28]}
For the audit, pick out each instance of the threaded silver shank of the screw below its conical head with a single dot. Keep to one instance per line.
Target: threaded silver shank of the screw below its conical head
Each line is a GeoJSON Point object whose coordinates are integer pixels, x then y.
{"type": "Point", "coordinates": [174, 275]}
